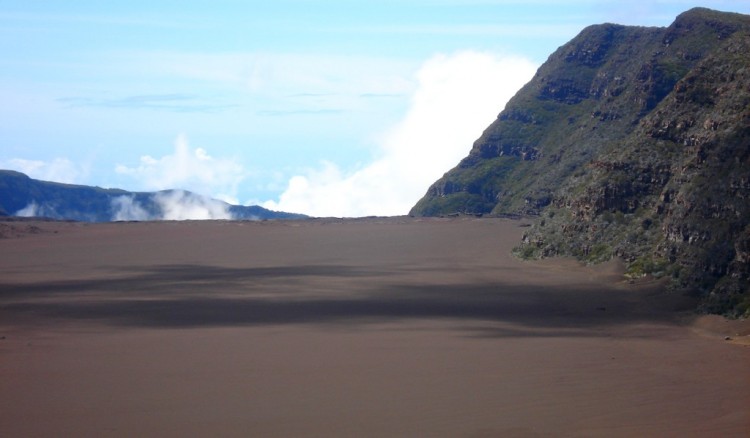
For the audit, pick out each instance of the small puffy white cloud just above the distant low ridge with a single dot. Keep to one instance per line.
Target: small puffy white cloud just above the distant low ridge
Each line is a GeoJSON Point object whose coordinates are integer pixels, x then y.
{"type": "Point", "coordinates": [189, 169]}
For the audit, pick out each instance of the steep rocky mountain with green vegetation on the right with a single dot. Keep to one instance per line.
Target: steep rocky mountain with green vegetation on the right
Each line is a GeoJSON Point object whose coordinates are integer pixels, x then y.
{"type": "Point", "coordinates": [629, 142]}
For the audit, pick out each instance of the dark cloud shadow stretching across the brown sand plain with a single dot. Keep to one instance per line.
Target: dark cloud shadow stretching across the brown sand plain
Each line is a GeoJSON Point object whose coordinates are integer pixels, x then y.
{"type": "Point", "coordinates": [184, 296]}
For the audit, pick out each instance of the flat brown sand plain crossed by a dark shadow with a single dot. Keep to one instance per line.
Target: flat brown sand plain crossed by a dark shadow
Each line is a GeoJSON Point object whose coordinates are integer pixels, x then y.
{"type": "Point", "coordinates": [361, 328]}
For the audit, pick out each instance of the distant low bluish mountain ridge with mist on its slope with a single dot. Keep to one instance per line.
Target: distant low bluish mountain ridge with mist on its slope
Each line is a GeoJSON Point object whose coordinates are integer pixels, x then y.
{"type": "Point", "coordinates": [24, 196]}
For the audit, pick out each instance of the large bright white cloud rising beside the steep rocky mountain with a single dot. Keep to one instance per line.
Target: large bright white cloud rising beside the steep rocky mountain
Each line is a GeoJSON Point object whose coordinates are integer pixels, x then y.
{"type": "Point", "coordinates": [457, 97]}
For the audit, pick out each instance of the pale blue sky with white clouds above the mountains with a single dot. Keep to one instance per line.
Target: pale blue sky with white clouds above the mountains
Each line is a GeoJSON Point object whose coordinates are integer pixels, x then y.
{"type": "Point", "coordinates": [324, 107]}
